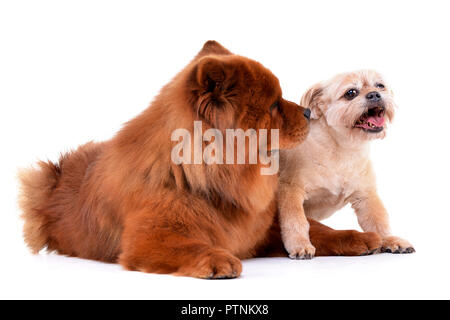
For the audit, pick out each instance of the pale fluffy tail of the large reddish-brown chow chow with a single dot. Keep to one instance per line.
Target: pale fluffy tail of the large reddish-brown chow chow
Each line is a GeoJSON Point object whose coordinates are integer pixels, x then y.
{"type": "Point", "coordinates": [37, 185]}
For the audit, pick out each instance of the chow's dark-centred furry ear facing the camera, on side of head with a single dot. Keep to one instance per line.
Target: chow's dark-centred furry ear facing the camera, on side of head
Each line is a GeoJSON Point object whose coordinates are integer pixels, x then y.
{"type": "Point", "coordinates": [213, 84]}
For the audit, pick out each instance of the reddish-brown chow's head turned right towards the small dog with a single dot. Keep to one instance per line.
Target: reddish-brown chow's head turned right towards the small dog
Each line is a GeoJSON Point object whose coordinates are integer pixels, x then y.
{"type": "Point", "coordinates": [228, 91]}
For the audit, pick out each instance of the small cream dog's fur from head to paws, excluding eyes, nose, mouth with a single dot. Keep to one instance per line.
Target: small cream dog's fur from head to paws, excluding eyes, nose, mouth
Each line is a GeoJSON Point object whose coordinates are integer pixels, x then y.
{"type": "Point", "coordinates": [332, 167]}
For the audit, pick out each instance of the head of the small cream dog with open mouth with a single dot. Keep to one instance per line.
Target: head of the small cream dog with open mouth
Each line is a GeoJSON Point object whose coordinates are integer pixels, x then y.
{"type": "Point", "coordinates": [356, 105]}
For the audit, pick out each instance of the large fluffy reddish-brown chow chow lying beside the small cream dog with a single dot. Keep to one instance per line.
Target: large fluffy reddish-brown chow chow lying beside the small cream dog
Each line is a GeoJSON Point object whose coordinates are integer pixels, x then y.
{"type": "Point", "coordinates": [125, 201]}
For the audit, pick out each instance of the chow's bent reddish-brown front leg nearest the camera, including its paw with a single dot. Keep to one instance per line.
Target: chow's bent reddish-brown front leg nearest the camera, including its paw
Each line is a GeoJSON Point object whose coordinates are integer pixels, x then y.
{"type": "Point", "coordinates": [164, 243]}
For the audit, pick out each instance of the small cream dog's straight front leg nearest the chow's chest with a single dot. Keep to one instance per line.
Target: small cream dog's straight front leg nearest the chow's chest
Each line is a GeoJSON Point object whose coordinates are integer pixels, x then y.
{"type": "Point", "coordinates": [293, 223]}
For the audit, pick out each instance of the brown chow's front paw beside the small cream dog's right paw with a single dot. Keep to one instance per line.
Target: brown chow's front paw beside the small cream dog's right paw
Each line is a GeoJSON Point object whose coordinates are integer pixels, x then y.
{"type": "Point", "coordinates": [356, 243]}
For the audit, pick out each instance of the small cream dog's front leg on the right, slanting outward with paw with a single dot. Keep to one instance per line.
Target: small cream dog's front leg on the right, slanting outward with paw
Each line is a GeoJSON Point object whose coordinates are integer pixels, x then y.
{"type": "Point", "coordinates": [373, 217]}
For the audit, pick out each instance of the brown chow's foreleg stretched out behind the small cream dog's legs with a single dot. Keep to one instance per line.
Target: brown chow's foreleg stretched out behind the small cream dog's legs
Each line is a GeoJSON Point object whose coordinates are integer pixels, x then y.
{"type": "Point", "coordinates": [327, 241]}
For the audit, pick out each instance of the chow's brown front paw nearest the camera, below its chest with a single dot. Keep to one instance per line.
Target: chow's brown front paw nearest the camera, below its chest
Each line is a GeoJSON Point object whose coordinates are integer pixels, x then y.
{"type": "Point", "coordinates": [216, 264]}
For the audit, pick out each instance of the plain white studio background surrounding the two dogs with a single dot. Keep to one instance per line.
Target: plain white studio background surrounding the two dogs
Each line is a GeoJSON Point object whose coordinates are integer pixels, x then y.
{"type": "Point", "coordinates": [74, 71]}
